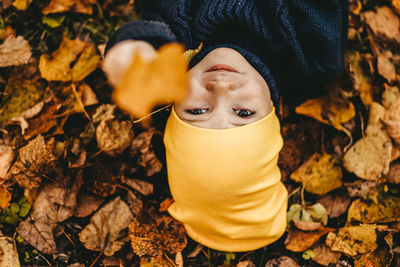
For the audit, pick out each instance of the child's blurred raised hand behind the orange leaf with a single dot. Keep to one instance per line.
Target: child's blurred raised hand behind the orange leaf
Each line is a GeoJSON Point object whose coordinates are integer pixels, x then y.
{"type": "Point", "coordinates": [121, 55]}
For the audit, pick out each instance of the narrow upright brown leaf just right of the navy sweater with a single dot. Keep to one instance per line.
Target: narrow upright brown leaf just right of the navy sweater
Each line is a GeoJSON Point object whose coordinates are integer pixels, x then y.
{"type": "Point", "coordinates": [362, 81]}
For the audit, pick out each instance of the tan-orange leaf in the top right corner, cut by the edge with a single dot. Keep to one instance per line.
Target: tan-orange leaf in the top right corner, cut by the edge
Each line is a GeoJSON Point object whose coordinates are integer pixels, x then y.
{"type": "Point", "coordinates": [384, 24]}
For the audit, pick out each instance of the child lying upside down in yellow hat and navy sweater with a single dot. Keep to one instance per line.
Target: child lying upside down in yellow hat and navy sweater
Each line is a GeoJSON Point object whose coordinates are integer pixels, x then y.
{"type": "Point", "coordinates": [222, 142]}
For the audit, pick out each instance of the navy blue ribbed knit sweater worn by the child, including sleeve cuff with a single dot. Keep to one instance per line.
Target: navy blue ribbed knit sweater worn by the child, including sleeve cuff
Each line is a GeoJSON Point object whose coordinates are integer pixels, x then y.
{"type": "Point", "coordinates": [296, 45]}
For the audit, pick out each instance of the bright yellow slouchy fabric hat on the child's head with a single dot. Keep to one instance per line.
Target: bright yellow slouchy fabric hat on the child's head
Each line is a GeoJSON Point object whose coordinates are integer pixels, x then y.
{"type": "Point", "coordinates": [226, 183]}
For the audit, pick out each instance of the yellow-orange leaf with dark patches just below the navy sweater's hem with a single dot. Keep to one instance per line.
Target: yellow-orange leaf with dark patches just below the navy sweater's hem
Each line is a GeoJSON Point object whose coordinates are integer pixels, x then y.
{"type": "Point", "coordinates": [326, 111]}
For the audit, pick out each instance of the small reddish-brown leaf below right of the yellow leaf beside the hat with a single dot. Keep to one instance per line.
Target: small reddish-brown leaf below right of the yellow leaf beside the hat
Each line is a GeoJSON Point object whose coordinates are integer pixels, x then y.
{"type": "Point", "coordinates": [336, 202]}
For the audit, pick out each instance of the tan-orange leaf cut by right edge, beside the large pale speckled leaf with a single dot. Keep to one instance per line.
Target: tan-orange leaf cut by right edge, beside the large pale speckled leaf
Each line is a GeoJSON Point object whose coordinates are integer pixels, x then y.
{"type": "Point", "coordinates": [391, 120]}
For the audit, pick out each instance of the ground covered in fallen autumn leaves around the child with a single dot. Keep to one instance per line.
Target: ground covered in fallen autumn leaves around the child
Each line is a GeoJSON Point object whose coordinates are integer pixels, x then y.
{"type": "Point", "coordinates": [83, 184]}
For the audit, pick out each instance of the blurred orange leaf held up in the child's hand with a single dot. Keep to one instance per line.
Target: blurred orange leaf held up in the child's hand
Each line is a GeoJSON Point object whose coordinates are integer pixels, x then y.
{"type": "Point", "coordinates": [147, 84]}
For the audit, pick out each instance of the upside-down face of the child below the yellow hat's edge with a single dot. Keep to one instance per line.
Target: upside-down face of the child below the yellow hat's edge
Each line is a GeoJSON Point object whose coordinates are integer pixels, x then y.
{"type": "Point", "coordinates": [225, 92]}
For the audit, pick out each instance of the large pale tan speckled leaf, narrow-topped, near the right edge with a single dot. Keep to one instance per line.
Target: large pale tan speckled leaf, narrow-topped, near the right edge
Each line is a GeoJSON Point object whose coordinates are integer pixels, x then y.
{"type": "Point", "coordinates": [369, 157]}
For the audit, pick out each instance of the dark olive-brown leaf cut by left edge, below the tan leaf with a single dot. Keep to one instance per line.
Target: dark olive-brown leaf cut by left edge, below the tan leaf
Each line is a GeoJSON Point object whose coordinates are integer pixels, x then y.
{"type": "Point", "coordinates": [24, 90]}
